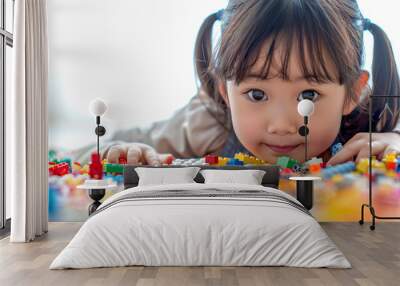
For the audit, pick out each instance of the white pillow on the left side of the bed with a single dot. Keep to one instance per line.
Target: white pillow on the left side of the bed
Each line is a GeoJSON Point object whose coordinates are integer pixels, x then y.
{"type": "Point", "coordinates": [162, 176]}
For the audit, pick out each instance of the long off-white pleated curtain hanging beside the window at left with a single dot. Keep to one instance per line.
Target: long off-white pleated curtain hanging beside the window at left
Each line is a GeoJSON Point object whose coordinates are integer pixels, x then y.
{"type": "Point", "coordinates": [28, 135]}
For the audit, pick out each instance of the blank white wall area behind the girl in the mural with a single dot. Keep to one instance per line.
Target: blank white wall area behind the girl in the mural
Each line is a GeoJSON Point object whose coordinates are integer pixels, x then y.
{"type": "Point", "coordinates": [138, 57]}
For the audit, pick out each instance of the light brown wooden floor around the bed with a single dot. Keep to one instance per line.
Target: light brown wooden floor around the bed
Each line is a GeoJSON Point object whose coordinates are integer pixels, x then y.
{"type": "Point", "coordinates": [375, 257]}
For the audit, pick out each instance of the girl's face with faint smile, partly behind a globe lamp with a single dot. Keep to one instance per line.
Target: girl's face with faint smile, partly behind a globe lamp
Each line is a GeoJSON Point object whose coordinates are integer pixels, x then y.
{"type": "Point", "coordinates": [265, 118]}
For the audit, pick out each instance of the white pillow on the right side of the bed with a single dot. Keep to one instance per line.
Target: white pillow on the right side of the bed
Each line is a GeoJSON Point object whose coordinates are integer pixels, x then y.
{"type": "Point", "coordinates": [249, 177]}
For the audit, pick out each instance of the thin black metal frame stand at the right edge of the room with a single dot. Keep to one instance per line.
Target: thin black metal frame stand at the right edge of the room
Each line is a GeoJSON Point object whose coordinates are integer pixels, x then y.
{"type": "Point", "coordinates": [369, 205]}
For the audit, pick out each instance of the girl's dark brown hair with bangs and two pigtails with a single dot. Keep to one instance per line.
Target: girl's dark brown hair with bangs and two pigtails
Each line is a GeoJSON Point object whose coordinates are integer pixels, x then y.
{"type": "Point", "coordinates": [322, 31]}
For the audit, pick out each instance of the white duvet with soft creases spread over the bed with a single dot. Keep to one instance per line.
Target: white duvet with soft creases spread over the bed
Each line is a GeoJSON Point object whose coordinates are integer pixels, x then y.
{"type": "Point", "coordinates": [200, 231]}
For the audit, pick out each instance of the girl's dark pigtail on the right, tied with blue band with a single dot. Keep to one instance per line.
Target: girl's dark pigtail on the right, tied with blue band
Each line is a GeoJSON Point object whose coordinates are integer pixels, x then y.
{"type": "Point", "coordinates": [385, 79]}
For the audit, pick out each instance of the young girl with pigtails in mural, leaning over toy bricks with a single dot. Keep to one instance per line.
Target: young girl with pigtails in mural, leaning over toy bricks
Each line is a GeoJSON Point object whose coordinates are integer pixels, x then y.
{"type": "Point", "coordinates": [269, 52]}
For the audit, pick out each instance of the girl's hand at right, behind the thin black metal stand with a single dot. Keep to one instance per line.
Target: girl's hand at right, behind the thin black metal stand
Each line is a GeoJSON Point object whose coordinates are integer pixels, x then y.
{"type": "Point", "coordinates": [382, 144]}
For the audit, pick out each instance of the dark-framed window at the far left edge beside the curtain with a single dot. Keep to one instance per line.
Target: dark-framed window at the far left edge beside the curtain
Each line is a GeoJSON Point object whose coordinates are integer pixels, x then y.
{"type": "Point", "coordinates": [6, 44]}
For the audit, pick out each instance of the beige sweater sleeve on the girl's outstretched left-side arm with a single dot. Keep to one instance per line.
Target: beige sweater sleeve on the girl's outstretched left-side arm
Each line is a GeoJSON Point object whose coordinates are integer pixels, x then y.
{"type": "Point", "coordinates": [191, 131]}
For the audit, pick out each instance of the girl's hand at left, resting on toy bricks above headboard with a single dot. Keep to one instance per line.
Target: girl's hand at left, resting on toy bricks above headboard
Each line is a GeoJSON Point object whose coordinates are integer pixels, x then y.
{"type": "Point", "coordinates": [137, 153]}
